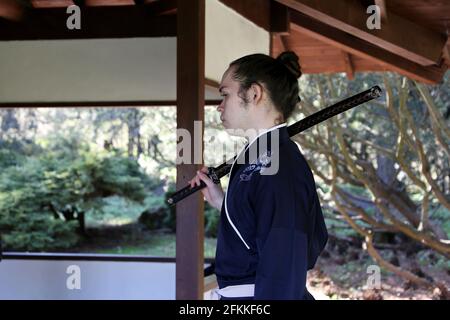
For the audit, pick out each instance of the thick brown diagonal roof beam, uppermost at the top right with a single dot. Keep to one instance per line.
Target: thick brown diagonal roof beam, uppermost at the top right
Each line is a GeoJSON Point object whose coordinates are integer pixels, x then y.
{"type": "Point", "coordinates": [398, 35]}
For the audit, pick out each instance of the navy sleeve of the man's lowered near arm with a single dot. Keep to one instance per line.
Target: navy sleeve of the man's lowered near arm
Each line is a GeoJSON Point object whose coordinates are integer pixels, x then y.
{"type": "Point", "coordinates": [281, 210]}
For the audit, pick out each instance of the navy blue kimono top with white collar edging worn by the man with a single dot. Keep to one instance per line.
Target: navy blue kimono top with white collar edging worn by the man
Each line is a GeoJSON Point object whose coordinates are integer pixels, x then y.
{"type": "Point", "coordinates": [271, 228]}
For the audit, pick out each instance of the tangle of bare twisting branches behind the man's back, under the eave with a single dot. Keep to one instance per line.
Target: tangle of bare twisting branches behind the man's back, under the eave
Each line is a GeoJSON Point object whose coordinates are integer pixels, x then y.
{"type": "Point", "coordinates": [385, 162]}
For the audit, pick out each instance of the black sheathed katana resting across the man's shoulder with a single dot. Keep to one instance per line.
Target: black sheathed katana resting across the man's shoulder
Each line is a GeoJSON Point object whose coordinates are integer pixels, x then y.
{"type": "Point", "coordinates": [215, 174]}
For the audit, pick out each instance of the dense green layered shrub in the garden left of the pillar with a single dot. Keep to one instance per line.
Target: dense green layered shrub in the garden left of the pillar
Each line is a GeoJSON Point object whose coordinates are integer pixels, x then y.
{"type": "Point", "coordinates": [37, 192]}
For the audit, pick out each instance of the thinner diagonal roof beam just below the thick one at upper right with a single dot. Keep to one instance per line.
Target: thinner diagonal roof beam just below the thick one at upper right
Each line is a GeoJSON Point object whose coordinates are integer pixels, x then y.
{"type": "Point", "coordinates": [356, 46]}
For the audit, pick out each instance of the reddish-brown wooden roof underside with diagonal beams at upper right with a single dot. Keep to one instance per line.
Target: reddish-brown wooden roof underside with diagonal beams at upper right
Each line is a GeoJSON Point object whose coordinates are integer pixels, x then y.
{"type": "Point", "coordinates": [412, 41]}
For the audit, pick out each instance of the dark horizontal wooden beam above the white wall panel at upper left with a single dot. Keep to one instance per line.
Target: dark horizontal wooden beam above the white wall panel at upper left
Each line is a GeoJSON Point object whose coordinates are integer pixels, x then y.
{"type": "Point", "coordinates": [96, 22]}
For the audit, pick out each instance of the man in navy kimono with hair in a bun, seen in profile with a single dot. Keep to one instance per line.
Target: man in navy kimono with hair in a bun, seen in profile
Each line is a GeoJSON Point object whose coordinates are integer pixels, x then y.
{"type": "Point", "coordinates": [271, 228]}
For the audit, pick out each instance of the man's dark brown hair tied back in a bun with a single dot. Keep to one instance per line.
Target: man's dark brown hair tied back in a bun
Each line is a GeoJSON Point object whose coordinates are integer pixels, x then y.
{"type": "Point", "coordinates": [279, 77]}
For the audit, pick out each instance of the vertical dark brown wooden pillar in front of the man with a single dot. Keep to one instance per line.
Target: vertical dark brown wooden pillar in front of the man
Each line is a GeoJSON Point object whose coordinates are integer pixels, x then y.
{"type": "Point", "coordinates": [190, 108]}
